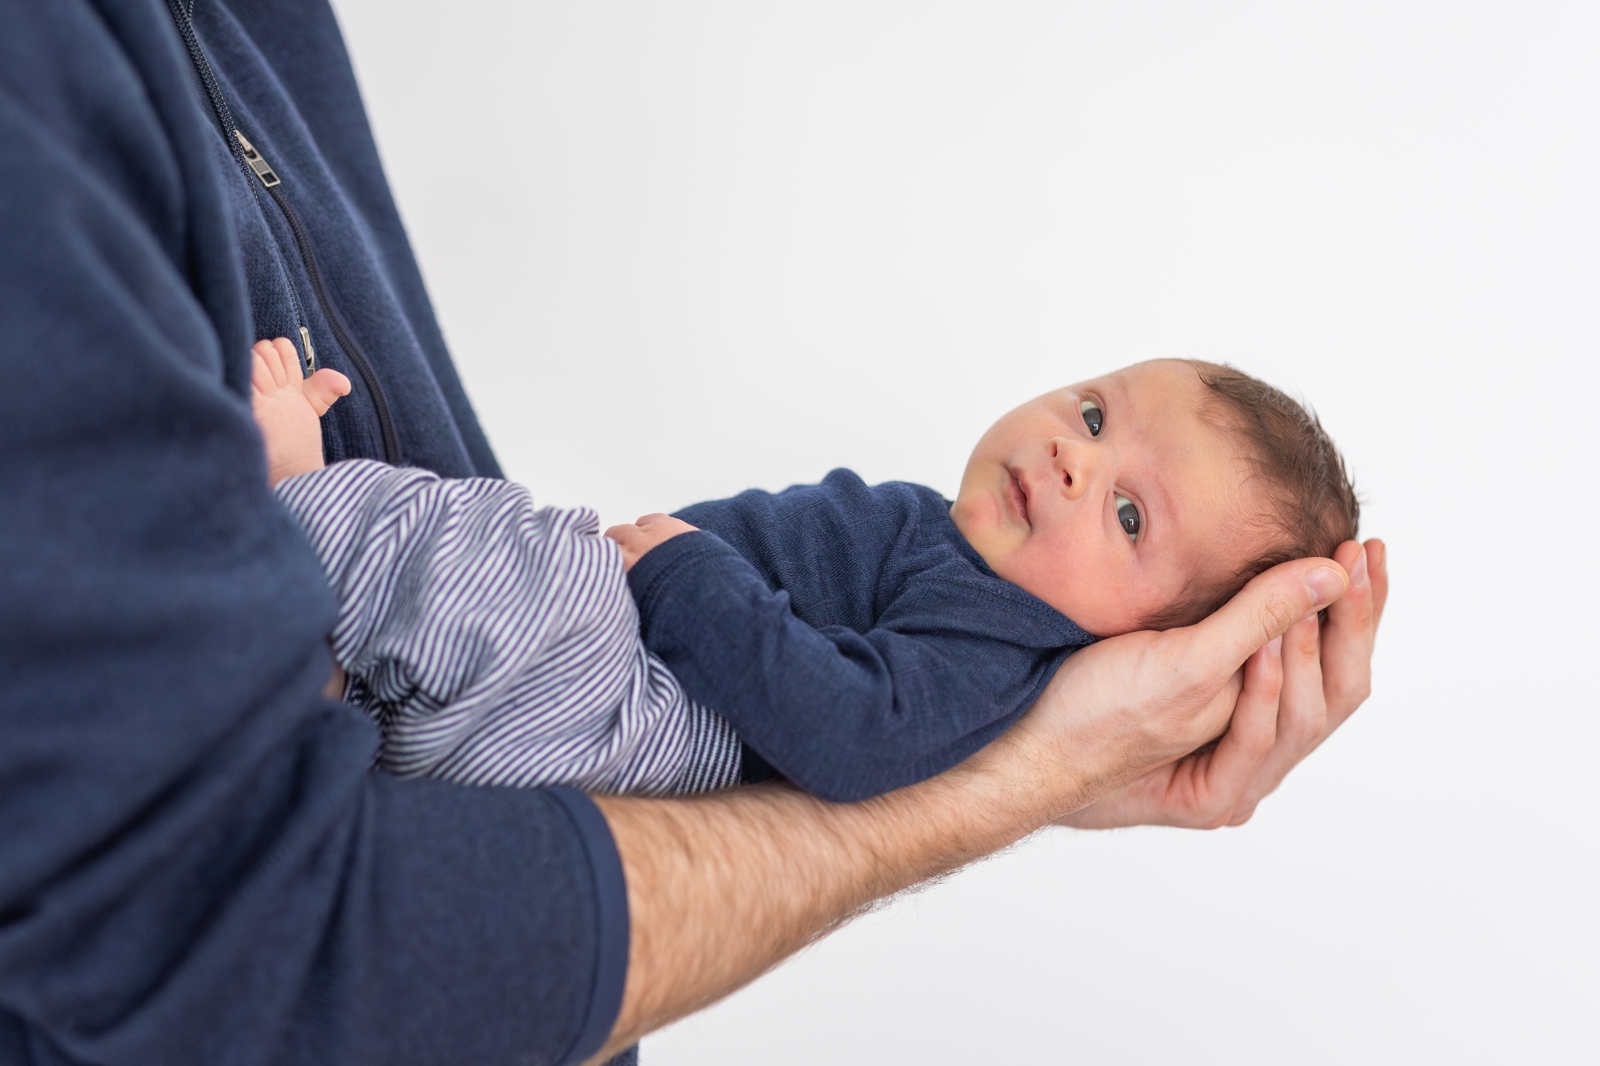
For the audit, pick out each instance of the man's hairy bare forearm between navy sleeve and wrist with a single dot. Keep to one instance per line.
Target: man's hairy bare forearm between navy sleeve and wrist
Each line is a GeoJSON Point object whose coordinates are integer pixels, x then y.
{"type": "Point", "coordinates": [724, 888]}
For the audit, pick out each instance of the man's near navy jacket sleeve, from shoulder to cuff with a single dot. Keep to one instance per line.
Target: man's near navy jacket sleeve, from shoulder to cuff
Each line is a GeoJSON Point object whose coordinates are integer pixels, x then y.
{"type": "Point", "coordinates": [198, 862]}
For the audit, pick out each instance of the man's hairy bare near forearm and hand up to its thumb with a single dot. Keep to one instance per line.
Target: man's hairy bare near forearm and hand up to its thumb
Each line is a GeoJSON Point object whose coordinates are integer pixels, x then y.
{"type": "Point", "coordinates": [721, 888]}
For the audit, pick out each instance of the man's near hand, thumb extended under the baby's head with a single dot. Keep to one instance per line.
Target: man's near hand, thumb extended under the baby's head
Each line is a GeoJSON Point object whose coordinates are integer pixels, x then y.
{"type": "Point", "coordinates": [1129, 710]}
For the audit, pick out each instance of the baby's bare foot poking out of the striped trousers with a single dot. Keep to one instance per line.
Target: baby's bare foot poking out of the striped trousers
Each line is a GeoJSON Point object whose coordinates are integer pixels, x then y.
{"type": "Point", "coordinates": [287, 407]}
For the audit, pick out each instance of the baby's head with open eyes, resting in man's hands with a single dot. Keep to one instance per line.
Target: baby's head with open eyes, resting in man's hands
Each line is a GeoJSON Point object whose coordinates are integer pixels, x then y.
{"type": "Point", "coordinates": [1146, 499]}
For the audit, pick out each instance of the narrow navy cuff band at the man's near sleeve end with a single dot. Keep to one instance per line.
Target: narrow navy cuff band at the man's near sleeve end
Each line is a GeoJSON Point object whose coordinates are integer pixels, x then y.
{"type": "Point", "coordinates": [612, 942]}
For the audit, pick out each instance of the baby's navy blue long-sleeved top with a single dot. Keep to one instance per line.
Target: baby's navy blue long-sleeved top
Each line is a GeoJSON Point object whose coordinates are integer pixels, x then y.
{"type": "Point", "coordinates": [849, 631]}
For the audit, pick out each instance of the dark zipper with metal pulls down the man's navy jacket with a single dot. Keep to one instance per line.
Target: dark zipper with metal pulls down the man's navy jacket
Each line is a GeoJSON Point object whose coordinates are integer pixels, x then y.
{"type": "Point", "coordinates": [252, 161]}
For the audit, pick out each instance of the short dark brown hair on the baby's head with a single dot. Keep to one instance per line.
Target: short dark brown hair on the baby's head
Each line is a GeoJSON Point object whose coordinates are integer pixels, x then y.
{"type": "Point", "coordinates": [1306, 500]}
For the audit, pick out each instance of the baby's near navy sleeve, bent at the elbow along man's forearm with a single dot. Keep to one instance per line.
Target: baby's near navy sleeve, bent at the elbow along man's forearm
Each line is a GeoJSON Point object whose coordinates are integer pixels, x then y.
{"type": "Point", "coordinates": [842, 715]}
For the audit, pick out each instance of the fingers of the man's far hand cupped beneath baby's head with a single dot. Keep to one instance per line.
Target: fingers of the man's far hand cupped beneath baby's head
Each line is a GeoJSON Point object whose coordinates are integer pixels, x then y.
{"type": "Point", "coordinates": [1295, 694]}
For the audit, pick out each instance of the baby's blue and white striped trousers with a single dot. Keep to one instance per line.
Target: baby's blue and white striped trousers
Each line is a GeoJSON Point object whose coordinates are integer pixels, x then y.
{"type": "Point", "coordinates": [497, 643]}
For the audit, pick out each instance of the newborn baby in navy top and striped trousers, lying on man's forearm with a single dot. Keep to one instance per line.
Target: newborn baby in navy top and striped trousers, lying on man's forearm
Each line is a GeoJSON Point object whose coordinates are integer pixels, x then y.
{"type": "Point", "coordinates": [852, 638]}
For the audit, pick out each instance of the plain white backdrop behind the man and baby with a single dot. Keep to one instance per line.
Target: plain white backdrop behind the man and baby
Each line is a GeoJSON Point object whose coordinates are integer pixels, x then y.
{"type": "Point", "coordinates": [684, 249]}
